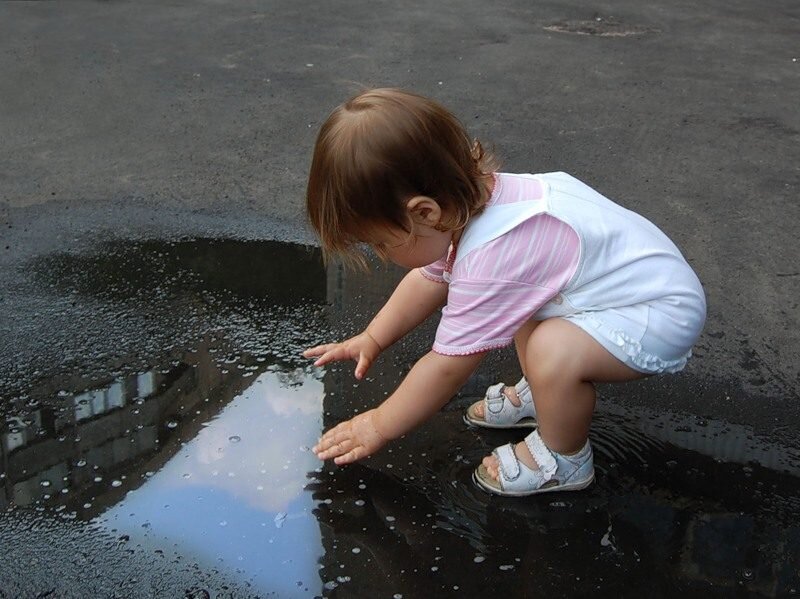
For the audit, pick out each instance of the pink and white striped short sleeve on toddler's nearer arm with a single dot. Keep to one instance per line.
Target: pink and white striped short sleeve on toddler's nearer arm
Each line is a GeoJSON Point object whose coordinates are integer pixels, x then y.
{"type": "Point", "coordinates": [501, 285]}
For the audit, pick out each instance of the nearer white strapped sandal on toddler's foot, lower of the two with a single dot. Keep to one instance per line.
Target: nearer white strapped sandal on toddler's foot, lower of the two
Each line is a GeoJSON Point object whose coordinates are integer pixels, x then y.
{"type": "Point", "coordinates": [556, 472]}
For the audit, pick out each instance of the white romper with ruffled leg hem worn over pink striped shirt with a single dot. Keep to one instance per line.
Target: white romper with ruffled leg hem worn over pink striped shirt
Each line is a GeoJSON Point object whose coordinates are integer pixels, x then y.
{"type": "Point", "coordinates": [632, 290]}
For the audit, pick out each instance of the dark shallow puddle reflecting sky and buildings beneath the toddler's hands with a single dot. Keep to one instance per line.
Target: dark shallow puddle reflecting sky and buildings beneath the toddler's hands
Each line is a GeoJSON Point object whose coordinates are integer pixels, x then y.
{"type": "Point", "coordinates": [197, 448]}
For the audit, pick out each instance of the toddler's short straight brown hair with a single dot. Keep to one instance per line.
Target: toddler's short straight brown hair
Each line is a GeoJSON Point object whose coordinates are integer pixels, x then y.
{"type": "Point", "coordinates": [377, 151]}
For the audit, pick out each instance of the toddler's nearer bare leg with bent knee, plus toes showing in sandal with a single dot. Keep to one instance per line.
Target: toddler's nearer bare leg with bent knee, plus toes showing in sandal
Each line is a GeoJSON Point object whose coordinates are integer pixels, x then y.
{"type": "Point", "coordinates": [561, 364]}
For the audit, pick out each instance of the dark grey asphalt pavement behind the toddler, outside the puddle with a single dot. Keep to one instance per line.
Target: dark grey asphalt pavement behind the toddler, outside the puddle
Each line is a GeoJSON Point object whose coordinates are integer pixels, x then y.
{"type": "Point", "coordinates": [122, 120]}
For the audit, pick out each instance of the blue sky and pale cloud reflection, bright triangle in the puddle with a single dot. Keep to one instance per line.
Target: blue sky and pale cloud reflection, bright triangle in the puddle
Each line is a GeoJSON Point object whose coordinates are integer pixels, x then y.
{"type": "Point", "coordinates": [235, 493]}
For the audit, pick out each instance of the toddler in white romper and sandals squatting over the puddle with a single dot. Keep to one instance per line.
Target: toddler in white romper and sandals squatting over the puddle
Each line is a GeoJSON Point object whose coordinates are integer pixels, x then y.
{"type": "Point", "coordinates": [586, 290]}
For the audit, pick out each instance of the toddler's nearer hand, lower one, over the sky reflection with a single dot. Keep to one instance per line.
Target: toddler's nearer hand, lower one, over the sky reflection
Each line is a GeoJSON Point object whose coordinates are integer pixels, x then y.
{"type": "Point", "coordinates": [352, 440]}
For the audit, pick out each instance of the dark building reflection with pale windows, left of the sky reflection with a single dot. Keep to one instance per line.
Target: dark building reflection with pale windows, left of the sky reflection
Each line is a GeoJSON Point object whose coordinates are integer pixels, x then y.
{"type": "Point", "coordinates": [66, 455]}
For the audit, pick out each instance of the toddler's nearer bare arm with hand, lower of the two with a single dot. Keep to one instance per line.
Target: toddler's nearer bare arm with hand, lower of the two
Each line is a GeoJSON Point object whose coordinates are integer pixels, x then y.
{"type": "Point", "coordinates": [432, 381]}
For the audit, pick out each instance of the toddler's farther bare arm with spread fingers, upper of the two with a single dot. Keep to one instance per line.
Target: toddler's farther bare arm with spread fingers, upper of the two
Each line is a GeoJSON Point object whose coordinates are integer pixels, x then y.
{"type": "Point", "coordinates": [413, 300]}
